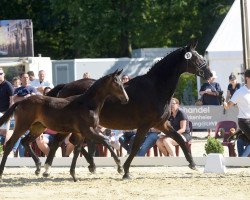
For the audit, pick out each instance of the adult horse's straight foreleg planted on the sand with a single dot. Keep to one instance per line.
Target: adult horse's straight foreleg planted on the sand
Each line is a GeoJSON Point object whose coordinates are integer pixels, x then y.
{"type": "Point", "coordinates": [139, 137]}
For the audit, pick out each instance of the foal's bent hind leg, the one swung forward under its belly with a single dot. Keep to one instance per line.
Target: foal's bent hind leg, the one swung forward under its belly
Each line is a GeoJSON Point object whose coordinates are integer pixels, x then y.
{"type": "Point", "coordinates": [26, 143]}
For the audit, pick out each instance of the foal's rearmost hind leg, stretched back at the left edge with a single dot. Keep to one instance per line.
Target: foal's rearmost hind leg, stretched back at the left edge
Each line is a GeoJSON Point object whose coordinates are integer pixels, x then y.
{"type": "Point", "coordinates": [8, 148]}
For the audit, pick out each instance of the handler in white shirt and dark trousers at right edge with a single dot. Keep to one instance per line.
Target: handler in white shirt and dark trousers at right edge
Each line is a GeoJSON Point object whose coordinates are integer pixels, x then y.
{"type": "Point", "coordinates": [241, 97]}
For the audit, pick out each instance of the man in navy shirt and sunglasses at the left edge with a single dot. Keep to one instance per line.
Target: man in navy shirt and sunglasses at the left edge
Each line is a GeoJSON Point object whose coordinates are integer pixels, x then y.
{"type": "Point", "coordinates": [6, 99]}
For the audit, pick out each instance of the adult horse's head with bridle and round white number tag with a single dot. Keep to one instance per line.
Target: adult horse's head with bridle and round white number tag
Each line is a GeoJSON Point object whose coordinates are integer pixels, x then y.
{"type": "Point", "coordinates": [195, 63]}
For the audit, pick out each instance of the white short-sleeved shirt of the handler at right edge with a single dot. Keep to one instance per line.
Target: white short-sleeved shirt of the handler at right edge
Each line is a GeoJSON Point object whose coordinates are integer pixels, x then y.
{"type": "Point", "coordinates": [241, 97]}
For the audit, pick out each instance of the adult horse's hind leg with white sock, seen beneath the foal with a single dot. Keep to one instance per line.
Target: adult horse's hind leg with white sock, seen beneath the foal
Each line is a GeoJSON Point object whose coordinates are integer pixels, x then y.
{"type": "Point", "coordinates": [59, 137]}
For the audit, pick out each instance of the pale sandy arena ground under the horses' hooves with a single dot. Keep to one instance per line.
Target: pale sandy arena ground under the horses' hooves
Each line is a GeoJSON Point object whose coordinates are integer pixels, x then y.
{"type": "Point", "coordinates": [146, 183]}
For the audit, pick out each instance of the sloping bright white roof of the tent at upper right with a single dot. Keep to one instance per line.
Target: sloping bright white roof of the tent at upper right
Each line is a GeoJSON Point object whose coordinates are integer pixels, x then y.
{"type": "Point", "coordinates": [229, 37]}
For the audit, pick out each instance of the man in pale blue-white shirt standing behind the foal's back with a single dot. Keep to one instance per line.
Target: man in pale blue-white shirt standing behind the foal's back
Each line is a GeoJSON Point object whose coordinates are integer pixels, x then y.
{"type": "Point", "coordinates": [41, 83]}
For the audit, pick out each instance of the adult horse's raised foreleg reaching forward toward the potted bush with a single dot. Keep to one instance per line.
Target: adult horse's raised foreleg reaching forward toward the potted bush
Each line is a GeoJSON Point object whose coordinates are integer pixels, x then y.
{"type": "Point", "coordinates": [177, 137]}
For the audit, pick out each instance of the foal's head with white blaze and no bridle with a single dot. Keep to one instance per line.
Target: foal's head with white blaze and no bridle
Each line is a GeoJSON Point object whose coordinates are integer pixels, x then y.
{"type": "Point", "coordinates": [117, 88]}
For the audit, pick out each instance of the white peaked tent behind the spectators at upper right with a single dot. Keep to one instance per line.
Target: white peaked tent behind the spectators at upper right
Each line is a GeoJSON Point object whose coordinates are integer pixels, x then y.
{"type": "Point", "coordinates": [224, 53]}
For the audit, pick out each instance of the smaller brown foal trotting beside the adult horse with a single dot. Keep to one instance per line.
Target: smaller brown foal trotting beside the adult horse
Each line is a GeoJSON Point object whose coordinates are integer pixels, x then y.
{"type": "Point", "coordinates": [78, 115]}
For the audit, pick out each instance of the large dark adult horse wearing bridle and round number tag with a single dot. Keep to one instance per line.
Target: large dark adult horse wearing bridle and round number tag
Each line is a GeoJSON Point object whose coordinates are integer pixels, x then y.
{"type": "Point", "coordinates": [150, 96]}
